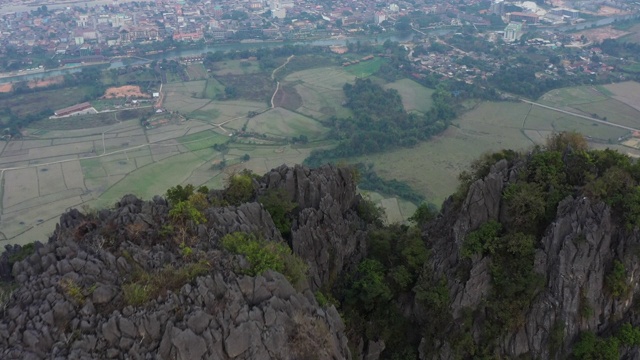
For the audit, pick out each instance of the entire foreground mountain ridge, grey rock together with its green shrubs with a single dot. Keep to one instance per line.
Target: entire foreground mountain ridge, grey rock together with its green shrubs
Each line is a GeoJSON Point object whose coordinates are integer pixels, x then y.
{"type": "Point", "coordinates": [536, 257]}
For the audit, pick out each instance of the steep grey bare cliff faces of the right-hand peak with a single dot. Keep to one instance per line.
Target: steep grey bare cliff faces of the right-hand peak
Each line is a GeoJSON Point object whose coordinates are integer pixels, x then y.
{"type": "Point", "coordinates": [575, 255]}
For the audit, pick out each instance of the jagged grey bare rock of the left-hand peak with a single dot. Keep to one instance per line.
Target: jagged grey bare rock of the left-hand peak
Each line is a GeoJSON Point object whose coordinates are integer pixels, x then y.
{"type": "Point", "coordinates": [70, 301]}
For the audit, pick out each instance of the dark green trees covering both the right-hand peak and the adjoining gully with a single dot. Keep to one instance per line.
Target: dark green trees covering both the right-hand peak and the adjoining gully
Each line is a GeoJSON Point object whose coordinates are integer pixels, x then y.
{"type": "Point", "coordinates": [394, 268]}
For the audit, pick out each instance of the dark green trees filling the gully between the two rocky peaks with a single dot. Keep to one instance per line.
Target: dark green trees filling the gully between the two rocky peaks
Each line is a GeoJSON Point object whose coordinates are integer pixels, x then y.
{"type": "Point", "coordinates": [368, 297]}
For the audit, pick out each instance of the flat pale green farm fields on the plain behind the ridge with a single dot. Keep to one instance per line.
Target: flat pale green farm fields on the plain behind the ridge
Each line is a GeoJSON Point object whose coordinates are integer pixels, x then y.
{"type": "Point", "coordinates": [83, 170]}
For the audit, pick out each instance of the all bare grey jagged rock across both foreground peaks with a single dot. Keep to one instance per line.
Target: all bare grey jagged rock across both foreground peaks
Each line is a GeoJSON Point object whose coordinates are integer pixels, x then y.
{"type": "Point", "coordinates": [69, 301]}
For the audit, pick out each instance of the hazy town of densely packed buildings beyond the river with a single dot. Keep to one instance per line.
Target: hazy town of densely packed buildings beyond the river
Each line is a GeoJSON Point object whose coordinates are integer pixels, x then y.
{"type": "Point", "coordinates": [126, 27]}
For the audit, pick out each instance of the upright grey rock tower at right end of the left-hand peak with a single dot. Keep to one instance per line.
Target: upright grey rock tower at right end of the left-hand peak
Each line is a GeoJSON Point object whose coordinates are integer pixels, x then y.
{"type": "Point", "coordinates": [327, 231]}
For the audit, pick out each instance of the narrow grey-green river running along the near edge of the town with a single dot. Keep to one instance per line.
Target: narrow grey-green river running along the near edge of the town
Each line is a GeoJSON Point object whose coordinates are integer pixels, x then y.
{"type": "Point", "coordinates": [212, 48]}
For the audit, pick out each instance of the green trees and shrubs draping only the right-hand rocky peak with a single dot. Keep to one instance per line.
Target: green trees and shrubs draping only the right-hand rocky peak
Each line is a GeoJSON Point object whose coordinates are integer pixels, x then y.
{"type": "Point", "coordinates": [565, 167]}
